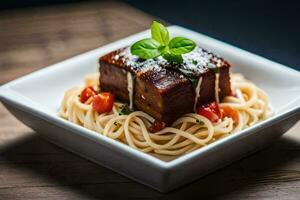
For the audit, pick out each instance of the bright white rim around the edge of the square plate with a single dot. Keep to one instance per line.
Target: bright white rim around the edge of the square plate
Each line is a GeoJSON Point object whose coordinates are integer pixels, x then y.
{"type": "Point", "coordinates": [10, 96]}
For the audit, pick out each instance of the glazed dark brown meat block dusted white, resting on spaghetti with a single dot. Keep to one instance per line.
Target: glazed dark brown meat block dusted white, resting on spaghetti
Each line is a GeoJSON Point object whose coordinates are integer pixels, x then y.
{"type": "Point", "coordinates": [162, 89]}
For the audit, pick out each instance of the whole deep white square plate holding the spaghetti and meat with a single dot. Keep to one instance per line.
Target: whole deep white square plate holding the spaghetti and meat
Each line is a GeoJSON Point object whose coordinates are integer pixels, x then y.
{"type": "Point", "coordinates": [35, 100]}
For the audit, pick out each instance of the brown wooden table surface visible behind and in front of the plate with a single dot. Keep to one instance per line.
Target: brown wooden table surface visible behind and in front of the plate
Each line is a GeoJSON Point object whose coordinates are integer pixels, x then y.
{"type": "Point", "coordinates": [31, 168]}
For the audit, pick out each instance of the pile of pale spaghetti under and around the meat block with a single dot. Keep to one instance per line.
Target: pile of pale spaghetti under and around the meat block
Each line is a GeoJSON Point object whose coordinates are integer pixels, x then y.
{"type": "Point", "coordinates": [188, 133]}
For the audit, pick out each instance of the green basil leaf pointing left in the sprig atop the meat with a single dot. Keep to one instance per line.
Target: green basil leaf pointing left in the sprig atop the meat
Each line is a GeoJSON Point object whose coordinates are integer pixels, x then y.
{"type": "Point", "coordinates": [146, 48]}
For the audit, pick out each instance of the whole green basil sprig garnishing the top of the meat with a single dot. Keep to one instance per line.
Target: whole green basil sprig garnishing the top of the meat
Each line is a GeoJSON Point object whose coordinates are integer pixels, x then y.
{"type": "Point", "coordinates": [161, 45]}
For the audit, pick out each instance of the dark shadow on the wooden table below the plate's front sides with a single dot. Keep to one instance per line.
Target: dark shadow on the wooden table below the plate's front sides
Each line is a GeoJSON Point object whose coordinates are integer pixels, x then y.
{"type": "Point", "coordinates": [36, 163]}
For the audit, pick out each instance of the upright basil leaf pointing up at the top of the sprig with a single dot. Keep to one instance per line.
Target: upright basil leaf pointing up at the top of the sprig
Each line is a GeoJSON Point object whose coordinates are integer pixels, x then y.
{"type": "Point", "coordinates": [160, 33]}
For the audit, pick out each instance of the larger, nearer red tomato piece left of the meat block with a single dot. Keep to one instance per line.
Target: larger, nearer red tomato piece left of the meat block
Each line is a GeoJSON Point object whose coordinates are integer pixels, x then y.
{"type": "Point", "coordinates": [103, 102]}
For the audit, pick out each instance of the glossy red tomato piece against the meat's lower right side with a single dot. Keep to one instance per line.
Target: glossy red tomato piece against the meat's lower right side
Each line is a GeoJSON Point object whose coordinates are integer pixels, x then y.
{"type": "Point", "coordinates": [211, 111]}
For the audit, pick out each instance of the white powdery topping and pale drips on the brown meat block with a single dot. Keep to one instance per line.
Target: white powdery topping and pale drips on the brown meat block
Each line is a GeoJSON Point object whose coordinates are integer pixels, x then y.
{"type": "Point", "coordinates": [194, 64]}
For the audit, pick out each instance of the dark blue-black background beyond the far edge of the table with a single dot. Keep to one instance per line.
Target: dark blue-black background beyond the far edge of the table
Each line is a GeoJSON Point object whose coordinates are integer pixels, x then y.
{"type": "Point", "coordinates": [268, 28]}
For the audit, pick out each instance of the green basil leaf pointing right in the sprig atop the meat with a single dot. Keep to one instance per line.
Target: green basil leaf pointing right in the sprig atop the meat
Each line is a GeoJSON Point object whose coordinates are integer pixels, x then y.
{"type": "Point", "coordinates": [180, 45]}
